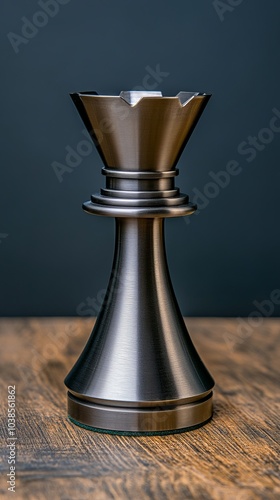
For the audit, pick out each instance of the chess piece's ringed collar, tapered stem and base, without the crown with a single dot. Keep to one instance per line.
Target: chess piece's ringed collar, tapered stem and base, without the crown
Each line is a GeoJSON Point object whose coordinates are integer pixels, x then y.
{"type": "Point", "coordinates": [139, 371]}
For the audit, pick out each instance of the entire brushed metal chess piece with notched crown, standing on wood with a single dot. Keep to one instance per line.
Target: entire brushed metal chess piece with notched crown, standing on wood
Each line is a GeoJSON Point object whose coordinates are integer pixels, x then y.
{"type": "Point", "coordinates": [139, 370]}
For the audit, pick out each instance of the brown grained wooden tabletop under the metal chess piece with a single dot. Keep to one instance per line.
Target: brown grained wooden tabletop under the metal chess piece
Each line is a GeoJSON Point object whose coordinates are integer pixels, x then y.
{"type": "Point", "coordinates": [235, 456]}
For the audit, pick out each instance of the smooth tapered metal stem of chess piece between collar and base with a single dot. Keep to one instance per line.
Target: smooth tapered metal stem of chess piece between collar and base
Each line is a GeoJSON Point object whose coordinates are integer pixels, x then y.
{"type": "Point", "coordinates": [140, 352]}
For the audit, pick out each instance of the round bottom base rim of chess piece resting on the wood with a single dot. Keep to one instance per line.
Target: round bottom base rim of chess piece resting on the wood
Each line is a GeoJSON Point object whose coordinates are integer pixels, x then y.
{"type": "Point", "coordinates": [140, 420]}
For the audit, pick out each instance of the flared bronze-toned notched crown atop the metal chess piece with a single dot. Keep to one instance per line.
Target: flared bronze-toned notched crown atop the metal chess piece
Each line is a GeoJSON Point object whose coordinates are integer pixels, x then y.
{"type": "Point", "coordinates": [149, 135]}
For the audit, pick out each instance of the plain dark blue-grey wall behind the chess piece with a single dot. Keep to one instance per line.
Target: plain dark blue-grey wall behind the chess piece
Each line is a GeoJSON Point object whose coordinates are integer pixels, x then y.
{"type": "Point", "coordinates": [53, 256]}
